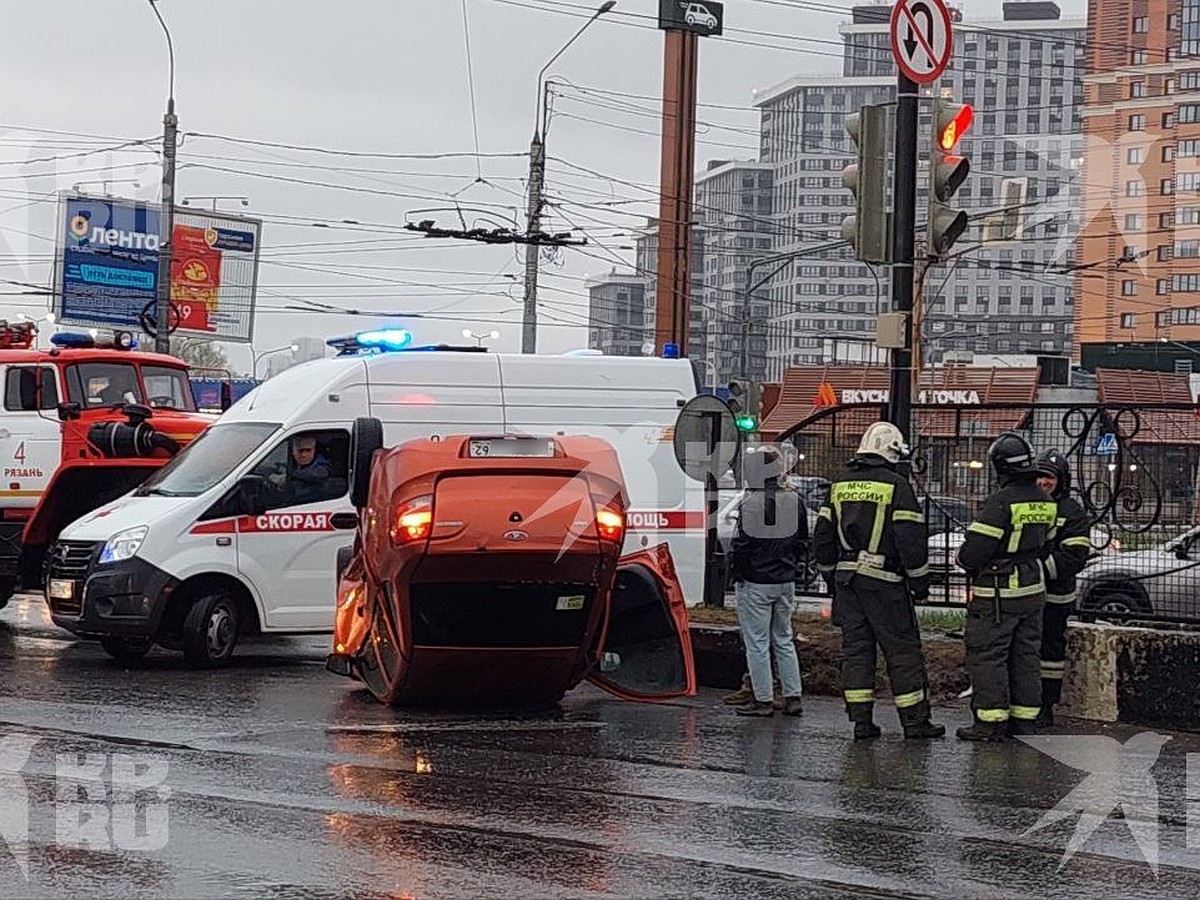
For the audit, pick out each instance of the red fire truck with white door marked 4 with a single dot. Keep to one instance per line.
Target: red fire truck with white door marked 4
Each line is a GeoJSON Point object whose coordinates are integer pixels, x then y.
{"type": "Point", "coordinates": [82, 424]}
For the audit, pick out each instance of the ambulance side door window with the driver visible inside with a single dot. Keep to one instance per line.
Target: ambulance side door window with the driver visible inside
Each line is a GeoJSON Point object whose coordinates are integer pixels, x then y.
{"type": "Point", "coordinates": [307, 467]}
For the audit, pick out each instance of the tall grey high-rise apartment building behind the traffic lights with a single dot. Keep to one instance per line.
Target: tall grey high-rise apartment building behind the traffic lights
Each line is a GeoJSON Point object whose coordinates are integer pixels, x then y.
{"type": "Point", "coordinates": [1013, 295]}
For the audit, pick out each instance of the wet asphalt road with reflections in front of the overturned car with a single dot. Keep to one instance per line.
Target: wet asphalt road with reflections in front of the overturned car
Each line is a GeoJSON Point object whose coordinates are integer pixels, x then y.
{"type": "Point", "coordinates": [283, 781]}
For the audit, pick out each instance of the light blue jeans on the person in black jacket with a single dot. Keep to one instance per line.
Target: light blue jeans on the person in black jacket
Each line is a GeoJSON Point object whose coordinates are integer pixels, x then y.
{"type": "Point", "coordinates": [765, 614]}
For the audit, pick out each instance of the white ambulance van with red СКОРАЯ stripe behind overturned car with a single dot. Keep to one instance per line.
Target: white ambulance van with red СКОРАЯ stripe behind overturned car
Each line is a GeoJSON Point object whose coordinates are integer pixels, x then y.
{"type": "Point", "coordinates": [241, 533]}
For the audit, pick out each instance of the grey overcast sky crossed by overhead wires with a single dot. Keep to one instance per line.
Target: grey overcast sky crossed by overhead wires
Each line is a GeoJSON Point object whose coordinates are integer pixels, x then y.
{"type": "Point", "coordinates": [380, 77]}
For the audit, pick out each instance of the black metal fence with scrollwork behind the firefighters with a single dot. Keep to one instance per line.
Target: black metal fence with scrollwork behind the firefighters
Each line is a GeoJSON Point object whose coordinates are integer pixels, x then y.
{"type": "Point", "coordinates": [1135, 470]}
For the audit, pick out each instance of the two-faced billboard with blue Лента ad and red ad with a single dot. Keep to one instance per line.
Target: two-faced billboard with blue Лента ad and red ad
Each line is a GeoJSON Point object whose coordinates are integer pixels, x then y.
{"type": "Point", "coordinates": [107, 268]}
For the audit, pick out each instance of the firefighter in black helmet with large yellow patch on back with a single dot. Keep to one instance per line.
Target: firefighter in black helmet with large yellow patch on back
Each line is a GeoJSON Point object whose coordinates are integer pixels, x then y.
{"type": "Point", "coordinates": [1003, 556]}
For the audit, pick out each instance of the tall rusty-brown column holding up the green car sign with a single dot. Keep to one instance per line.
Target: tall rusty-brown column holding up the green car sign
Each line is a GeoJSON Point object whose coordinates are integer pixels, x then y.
{"type": "Point", "coordinates": [674, 295]}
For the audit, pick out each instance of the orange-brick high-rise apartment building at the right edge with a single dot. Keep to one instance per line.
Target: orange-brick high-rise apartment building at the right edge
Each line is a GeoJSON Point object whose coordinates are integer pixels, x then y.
{"type": "Point", "coordinates": [1139, 250]}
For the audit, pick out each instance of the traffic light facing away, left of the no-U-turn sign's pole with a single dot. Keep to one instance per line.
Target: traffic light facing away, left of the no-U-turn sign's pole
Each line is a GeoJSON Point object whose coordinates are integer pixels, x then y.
{"type": "Point", "coordinates": [868, 179]}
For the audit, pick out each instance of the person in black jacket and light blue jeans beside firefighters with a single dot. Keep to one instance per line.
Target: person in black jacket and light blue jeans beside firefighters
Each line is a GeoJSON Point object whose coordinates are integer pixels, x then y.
{"type": "Point", "coordinates": [769, 553]}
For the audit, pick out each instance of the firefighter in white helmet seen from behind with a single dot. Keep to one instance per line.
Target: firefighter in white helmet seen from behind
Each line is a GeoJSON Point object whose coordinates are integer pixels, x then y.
{"type": "Point", "coordinates": [873, 544]}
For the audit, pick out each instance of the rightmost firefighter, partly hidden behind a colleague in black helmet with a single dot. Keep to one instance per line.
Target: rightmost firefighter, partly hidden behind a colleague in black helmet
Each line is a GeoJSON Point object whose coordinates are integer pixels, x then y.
{"type": "Point", "coordinates": [1064, 557]}
